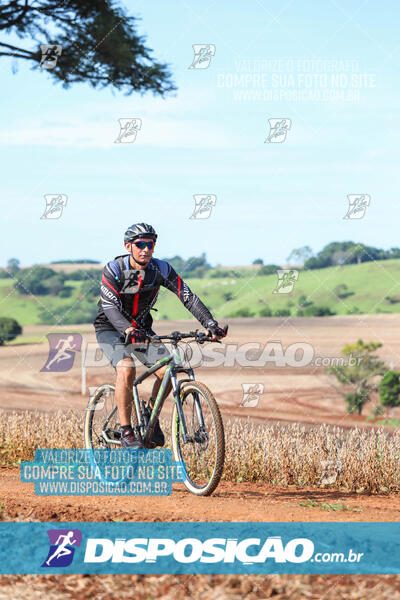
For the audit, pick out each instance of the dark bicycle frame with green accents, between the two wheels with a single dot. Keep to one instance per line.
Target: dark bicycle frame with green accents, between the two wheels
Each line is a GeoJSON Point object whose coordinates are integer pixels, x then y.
{"type": "Point", "coordinates": [174, 367]}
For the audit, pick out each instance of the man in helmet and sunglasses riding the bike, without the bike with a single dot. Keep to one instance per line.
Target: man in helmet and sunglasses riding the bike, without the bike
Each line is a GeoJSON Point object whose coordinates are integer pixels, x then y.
{"type": "Point", "coordinates": [129, 289]}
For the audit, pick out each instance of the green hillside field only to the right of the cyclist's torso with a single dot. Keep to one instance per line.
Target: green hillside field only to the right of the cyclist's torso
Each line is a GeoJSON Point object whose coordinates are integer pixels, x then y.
{"type": "Point", "coordinates": [371, 283]}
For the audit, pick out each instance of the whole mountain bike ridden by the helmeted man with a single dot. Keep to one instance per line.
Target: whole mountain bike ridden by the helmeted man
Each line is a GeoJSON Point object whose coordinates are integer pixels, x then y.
{"type": "Point", "coordinates": [197, 429]}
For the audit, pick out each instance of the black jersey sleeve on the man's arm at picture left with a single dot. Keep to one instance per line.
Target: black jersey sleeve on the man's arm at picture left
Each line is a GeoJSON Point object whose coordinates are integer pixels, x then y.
{"type": "Point", "coordinates": [110, 297]}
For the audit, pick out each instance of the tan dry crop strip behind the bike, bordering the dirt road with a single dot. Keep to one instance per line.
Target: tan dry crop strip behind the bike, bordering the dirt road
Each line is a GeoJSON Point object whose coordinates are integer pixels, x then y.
{"type": "Point", "coordinates": [368, 459]}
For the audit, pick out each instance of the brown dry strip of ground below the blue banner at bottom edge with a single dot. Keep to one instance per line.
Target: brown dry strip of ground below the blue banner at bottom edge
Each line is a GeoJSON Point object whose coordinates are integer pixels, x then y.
{"type": "Point", "coordinates": [200, 587]}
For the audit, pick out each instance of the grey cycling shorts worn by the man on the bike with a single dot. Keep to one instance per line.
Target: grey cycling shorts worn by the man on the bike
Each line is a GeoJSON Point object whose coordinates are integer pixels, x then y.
{"type": "Point", "coordinates": [112, 345]}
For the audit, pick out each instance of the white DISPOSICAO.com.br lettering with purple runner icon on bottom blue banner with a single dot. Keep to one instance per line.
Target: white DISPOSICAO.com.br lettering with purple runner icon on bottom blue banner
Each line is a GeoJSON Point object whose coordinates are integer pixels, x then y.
{"type": "Point", "coordinates": [167, 554]}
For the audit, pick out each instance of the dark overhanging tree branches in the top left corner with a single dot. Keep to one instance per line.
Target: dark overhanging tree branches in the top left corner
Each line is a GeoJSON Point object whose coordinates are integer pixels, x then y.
{"type": "Point", "coordinates": [99, 42]}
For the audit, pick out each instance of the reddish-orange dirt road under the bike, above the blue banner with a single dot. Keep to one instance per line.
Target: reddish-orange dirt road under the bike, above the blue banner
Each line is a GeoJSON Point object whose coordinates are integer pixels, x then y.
{"type": "Point", "coordinates": [230, 502]}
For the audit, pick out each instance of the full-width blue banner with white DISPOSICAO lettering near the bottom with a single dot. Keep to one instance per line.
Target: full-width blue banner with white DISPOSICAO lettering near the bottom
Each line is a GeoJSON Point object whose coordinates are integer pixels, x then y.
{"type": "Point", "coordinates": [229, 548]}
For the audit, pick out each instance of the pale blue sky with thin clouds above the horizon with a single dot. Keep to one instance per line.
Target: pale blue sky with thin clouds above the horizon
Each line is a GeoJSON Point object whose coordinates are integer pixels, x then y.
{"type": "Point", "coordinates": [209, 138]}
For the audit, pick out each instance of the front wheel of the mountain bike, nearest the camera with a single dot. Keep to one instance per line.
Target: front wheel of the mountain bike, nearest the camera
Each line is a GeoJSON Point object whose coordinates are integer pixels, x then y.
{"type": "Point", "coordinates": [204, 451]}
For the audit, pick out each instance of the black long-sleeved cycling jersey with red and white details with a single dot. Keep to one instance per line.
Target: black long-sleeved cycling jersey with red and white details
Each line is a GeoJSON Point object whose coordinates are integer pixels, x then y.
{"type": "Point", "coordinates": [127, 295]}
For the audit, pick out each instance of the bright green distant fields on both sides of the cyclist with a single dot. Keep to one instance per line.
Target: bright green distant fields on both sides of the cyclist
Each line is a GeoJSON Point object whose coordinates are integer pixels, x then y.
{"type": "Point", "coordinates": [369, 284]}
